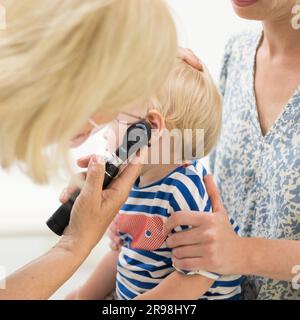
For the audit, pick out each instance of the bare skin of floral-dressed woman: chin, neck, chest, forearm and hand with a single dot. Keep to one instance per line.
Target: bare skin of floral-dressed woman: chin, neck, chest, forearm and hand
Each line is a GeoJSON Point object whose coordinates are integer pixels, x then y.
{"type": "Point", "coordinates": [211, 244]}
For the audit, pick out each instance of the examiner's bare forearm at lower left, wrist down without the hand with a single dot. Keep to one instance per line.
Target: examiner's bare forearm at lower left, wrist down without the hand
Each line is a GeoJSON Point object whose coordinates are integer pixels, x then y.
{"type": "Point", "coordinates": [39, 279]}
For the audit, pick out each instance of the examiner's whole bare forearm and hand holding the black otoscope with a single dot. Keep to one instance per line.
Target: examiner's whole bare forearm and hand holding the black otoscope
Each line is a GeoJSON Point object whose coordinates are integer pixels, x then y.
{"type": "Point", "coordinates": [92, 213]}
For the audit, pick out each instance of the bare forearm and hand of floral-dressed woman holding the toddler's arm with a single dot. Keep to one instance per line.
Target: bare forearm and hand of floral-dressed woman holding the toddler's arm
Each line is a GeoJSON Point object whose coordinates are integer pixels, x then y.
{"type": "Point", "coordinates": [212, 245]}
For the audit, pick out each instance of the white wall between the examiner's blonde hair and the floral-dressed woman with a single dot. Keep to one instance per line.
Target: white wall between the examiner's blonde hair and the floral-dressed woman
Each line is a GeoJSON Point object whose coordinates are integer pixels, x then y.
{"type": "Point", "coordinates": [205, 26]}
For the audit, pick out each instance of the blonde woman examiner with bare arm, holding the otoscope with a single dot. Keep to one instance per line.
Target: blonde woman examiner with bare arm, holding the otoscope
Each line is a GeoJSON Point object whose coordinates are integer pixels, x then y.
{"type": "Point", "coordinates": [62, 62]}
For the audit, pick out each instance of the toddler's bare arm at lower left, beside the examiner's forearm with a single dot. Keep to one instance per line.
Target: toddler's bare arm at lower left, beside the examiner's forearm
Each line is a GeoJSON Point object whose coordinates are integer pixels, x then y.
{"type": "Point", "coordinates": [102, 281]}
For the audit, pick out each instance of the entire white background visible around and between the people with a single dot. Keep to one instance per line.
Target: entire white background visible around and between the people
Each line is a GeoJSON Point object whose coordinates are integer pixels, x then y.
{"type": "Point", "coordinates": [203, 26]}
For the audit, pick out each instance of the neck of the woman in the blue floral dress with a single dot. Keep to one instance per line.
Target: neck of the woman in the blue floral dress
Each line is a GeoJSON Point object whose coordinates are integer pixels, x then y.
{"type": "Point", "coordinates": [280, 38]}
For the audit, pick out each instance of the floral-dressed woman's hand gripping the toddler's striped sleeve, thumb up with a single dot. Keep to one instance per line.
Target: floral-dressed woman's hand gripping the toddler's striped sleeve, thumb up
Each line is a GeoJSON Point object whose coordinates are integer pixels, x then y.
{"type": "Point", "coordinates": [211, 244]}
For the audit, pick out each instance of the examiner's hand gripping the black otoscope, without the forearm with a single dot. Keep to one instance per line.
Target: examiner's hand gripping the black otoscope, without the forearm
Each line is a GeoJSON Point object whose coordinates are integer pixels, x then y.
{"type": "Point", "coordinates": [94, 209]}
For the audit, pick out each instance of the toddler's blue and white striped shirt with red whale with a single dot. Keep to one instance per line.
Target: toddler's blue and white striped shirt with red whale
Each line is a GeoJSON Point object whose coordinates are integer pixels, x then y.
{"type": "Point", "coordinates": [145, 260]}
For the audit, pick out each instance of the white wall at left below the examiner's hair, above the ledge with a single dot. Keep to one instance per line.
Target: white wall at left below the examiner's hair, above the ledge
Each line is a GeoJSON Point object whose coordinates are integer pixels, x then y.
{"type": "Point", "coordinates": [24, 206]}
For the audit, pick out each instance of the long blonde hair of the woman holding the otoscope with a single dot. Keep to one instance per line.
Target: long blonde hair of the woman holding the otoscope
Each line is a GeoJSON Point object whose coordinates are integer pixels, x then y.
{"type": "Point", "coordinates": [62, 61]}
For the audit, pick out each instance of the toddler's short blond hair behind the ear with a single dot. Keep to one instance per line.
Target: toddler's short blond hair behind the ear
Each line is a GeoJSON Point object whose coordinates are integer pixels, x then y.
{"type": "Point", "coordinates": [190, 100]}
